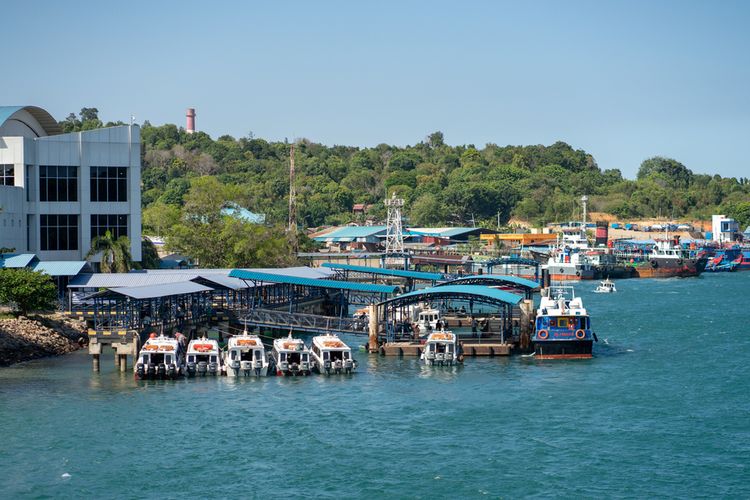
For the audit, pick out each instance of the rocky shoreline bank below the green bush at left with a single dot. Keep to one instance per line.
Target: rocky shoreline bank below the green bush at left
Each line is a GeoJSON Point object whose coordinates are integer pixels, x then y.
{"type": "Point", "coordinates": [24, 339]}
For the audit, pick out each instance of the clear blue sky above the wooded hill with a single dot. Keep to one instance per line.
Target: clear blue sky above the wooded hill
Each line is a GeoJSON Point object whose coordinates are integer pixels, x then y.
{"type": "Point", "coordinates": [622, 80]}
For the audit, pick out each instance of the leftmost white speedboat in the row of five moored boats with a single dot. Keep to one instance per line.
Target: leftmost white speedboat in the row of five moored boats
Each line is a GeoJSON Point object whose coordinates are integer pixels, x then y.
{"type": "Point", "coordinates": [161, 357]}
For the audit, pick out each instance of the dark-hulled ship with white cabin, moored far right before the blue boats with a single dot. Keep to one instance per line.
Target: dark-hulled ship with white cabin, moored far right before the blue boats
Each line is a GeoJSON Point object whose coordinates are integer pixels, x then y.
{"type": "Point", "coordinates": [668, 260]}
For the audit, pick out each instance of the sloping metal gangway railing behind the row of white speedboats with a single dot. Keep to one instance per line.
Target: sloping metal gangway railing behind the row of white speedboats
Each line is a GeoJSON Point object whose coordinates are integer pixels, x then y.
{"type": "Point", "coordinates": [305, 322]}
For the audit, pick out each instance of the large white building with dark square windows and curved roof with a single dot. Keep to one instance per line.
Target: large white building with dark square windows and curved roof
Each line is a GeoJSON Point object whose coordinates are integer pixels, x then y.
{"type": "Point", "coordinates": [58, 191]}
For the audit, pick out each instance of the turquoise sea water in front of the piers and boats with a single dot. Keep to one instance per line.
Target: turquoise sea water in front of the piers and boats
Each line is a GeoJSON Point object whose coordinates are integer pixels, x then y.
{"type": "Point", "coordinates": [663, 410]}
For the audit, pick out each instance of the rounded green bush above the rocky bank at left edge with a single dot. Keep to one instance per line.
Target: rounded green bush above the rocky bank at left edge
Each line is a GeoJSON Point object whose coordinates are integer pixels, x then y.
{"type": "Point", "coordinates": [28, 290]}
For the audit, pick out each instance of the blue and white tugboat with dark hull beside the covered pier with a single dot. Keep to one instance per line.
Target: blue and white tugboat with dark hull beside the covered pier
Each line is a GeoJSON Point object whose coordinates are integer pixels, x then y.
{"type": "Point", "coordinates": [563, 328]}
